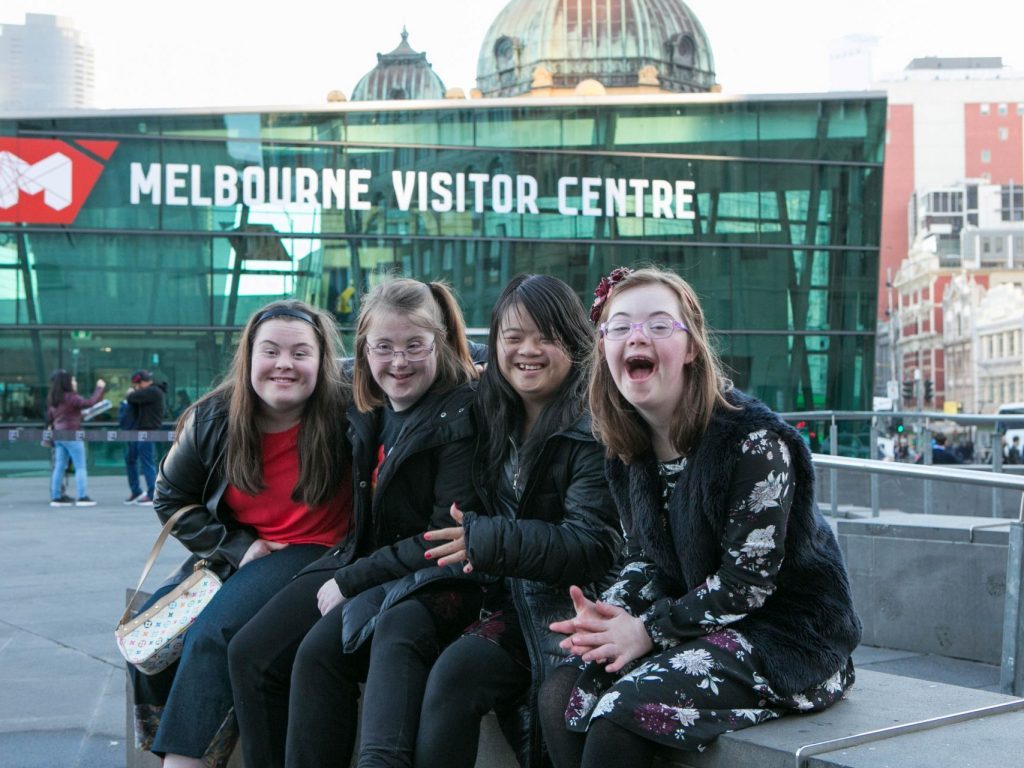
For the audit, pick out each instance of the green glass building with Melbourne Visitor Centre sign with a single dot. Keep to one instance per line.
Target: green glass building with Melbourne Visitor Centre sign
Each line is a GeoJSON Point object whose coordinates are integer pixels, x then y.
{"type": "Point", "coordinates": [145, 240]}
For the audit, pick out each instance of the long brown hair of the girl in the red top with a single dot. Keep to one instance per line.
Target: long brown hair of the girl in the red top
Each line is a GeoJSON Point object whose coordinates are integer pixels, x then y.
{"type": "Point", "coordinates": [323, 454]}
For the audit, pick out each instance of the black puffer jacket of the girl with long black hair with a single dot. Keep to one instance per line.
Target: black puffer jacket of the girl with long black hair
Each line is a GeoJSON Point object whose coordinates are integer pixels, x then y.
{"type": "Point", "coordinates": [565, 532]}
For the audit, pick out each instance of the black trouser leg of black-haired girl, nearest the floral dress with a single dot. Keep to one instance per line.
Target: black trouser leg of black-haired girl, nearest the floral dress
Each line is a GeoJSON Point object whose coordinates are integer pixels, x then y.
{"type": "Point", "coordinates": [470, 678]}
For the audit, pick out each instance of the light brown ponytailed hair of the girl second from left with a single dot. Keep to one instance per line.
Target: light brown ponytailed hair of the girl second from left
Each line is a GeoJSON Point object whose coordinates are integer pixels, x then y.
{"type": "Point", "coordinates": [428, 306]}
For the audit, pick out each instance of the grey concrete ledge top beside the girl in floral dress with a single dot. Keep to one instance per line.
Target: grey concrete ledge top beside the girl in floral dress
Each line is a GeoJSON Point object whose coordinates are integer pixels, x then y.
{"type": "Point", "coordinates": [878, 701]}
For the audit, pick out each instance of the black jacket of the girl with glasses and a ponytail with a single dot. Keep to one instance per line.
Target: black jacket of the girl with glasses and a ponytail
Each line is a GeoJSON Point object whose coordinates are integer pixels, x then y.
{"type": "Point", "coordinates": [428, 471]}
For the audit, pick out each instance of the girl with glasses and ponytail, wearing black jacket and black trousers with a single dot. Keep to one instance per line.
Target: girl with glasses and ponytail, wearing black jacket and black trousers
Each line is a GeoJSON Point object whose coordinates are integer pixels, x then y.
{"type": "Point", "coordinates": [297, 665]}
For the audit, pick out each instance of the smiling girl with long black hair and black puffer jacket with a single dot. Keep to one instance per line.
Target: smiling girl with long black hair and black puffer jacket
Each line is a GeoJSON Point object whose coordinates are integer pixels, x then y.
{"type": "Point", "coordinates": [545, 522]}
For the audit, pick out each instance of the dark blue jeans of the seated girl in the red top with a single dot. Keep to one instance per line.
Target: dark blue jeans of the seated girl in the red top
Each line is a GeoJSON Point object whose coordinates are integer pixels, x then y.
{"type": "Point", "coordinates": [196, 693]}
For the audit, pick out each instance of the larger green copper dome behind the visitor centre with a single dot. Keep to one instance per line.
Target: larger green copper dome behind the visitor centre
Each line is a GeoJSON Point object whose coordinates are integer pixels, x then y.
{"type": "Point", "coordinates": [607, 40]}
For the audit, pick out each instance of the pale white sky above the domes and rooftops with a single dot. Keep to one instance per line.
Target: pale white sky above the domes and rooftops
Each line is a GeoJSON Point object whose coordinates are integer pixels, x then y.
{"type": "Point", "coordinates": [193, 54]}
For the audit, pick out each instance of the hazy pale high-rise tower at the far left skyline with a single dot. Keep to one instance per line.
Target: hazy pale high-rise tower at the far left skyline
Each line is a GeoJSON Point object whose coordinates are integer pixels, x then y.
{"type": "Point", "coordinates": [46, 64]}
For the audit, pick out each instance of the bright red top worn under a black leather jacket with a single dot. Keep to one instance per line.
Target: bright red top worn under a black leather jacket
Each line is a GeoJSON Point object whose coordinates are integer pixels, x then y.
{"type": "Point", "coordinates": [273, 514]}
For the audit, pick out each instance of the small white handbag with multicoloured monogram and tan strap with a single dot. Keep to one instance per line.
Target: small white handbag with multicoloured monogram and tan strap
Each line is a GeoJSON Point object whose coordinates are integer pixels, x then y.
{"type": "Point", "coordinates": [152, 641]}
